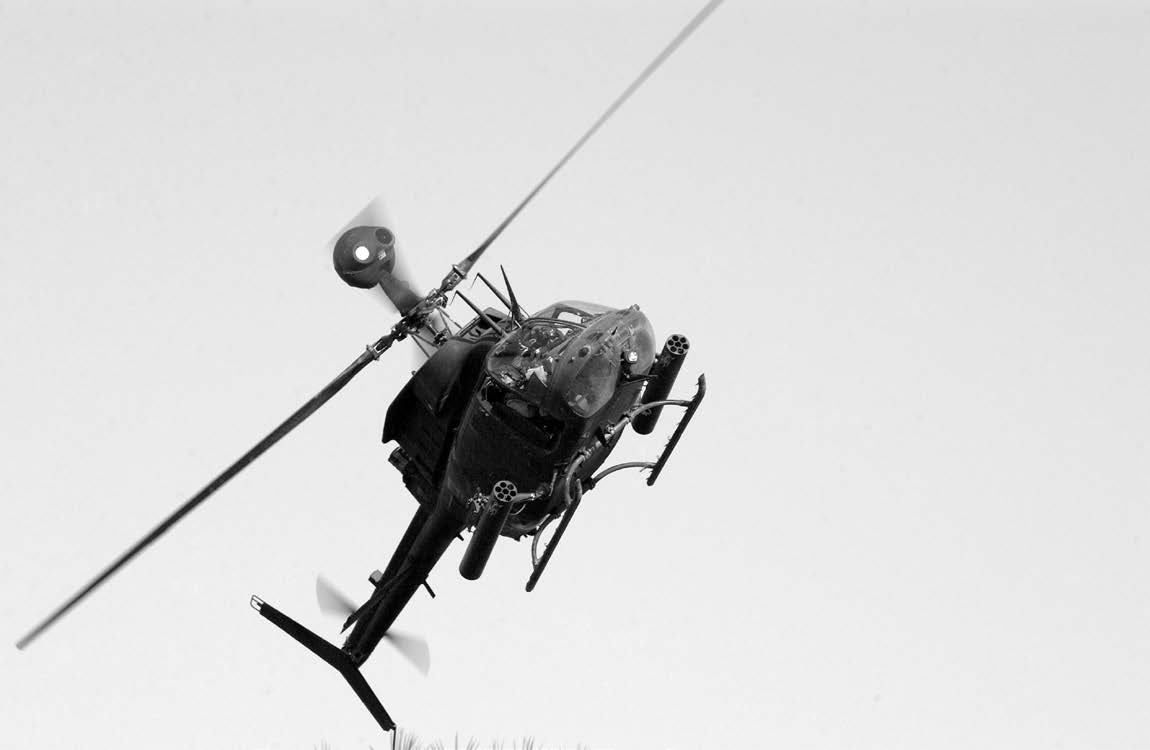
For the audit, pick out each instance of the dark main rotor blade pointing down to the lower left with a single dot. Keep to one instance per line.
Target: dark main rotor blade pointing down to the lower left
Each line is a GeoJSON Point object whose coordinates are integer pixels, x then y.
{"type": "Point", "coordinates": [273, 438]}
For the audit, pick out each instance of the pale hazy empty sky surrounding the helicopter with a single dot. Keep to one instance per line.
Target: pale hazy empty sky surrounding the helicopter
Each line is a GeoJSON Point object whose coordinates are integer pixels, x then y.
{"type": "Point", "coordinates": [908, 242]}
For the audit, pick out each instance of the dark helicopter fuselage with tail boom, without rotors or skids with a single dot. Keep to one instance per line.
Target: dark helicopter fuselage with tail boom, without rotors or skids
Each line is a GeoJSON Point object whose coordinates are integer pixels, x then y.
{"type": "Point", "coordinates": [515, 402]}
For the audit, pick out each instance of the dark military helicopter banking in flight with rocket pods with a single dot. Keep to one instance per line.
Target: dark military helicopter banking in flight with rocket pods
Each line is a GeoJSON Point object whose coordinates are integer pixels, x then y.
{"type": "Point", "coordinates": [502, 431]}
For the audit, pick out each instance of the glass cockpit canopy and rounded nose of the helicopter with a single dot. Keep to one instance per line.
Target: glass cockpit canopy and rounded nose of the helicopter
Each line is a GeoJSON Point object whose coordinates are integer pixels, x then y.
{"type": "Point", "coordinates": [566, 359]}
